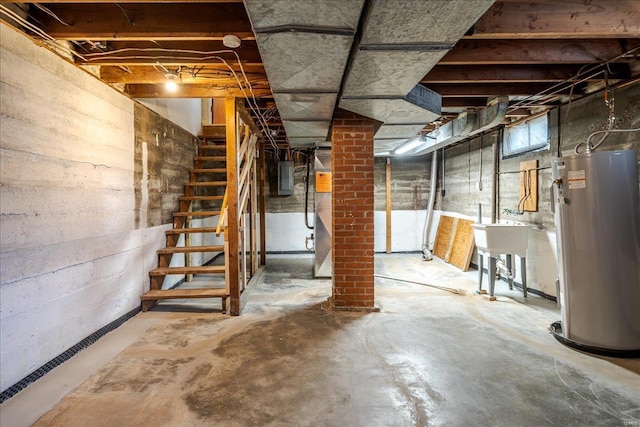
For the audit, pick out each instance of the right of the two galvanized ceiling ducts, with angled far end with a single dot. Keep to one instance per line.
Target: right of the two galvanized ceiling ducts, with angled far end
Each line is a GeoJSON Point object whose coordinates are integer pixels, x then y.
{"type": "Point", "coordinates": [398, 46]}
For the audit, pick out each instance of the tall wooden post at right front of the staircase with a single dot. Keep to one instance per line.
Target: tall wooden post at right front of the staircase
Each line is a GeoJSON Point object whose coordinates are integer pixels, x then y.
{"type": "Point", "coordinates": [232, 204]}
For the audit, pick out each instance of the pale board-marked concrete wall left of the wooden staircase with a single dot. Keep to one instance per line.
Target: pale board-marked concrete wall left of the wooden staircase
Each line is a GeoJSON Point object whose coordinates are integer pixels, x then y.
{"type": "Point", "coordinates": [77, 235]}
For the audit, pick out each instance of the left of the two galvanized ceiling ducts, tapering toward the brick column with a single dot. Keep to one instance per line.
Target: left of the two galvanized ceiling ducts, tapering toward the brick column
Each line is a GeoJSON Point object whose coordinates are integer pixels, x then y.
{"type": "Point", "coordinates": [305, 46]}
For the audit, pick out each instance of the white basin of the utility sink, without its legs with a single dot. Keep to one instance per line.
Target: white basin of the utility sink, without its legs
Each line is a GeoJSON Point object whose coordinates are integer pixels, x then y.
{"type": "Point", "coordinates": [497, 239]}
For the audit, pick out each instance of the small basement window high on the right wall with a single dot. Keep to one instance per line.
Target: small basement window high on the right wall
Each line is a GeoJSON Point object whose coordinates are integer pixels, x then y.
{"type": "Point", "coordinates": [532, 135]}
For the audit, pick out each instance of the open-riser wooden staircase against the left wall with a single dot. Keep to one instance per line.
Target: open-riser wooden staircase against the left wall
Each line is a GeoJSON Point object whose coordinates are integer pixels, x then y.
{"type": "Point", "coordinates": [203, 198]}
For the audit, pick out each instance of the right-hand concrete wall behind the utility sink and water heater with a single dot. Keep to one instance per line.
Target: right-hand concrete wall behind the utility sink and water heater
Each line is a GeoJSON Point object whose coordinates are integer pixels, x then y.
{"type": "Point", "coordinates": [577, 121]}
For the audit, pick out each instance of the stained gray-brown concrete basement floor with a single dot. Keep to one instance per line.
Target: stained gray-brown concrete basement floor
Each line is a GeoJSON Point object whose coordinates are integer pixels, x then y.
{"type": "Point", "coordinates": [429, 357]}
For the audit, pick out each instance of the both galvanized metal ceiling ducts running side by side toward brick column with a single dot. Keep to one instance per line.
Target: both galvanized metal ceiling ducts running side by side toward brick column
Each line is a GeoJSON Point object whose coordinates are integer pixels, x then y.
{"type": "Point", "coordinates": [306, 44]}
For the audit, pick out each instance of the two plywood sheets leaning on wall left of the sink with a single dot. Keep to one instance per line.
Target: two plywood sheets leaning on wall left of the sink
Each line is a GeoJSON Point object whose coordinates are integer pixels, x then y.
{"type": "Point", "coordinates": [454, 241]}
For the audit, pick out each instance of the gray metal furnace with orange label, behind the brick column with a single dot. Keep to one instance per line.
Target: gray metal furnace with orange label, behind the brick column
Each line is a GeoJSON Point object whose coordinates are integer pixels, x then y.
{"type": "Point", "coordinates": [322, 223]}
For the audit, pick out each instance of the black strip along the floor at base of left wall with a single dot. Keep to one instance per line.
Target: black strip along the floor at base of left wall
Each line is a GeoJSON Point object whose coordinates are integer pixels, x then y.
{"type": "Point", "coordinates": [66, 355]}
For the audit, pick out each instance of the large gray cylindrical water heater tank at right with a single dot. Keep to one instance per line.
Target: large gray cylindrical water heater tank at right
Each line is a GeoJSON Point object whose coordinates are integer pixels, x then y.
{"type": "Point", "coordinates": [597, 213]}
